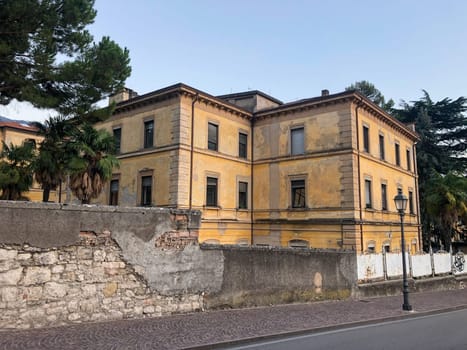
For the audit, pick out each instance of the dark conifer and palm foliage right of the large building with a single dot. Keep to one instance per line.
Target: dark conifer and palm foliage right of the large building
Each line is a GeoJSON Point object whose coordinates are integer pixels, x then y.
{"type": "Point", "coordinates": [441, 161]}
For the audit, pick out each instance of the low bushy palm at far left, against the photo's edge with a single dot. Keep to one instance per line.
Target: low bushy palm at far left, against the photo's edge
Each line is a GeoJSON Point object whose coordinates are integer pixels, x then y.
{"type": "Point", "coordinates": [15, 170]}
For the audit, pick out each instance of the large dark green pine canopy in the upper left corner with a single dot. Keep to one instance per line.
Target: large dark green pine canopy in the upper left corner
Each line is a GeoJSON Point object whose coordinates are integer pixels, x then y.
{"type": "Point", "coordinates": [47, 56]}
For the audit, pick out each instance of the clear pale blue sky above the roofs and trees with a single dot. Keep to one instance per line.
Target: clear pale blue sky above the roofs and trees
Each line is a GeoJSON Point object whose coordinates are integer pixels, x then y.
{"type": "Point", "coordinates": [290, 49]}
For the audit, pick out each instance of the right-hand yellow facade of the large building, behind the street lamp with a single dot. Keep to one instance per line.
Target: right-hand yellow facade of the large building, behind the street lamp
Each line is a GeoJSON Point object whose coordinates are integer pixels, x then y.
{"type": "Point", "coordinates": [386, 171]}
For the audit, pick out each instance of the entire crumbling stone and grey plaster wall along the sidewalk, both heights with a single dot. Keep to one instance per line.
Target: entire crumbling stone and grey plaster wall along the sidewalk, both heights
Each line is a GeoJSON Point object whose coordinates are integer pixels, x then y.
{"type": "Point", "coordinates": [68, 264]}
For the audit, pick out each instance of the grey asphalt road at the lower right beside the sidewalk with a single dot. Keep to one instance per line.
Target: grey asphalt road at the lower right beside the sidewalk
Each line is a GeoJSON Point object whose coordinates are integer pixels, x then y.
{"type": "Point", "coordinates": [435, 332]}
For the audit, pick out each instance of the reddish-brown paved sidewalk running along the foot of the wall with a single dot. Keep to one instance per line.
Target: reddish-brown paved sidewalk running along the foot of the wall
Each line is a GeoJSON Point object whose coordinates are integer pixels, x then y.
{"type": "Point", "coordinates": [203, 330]}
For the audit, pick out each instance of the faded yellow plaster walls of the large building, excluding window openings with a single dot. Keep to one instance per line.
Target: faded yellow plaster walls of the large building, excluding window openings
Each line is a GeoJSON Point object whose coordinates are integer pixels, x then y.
{"type": "Point", "coordinates": [333, 167]}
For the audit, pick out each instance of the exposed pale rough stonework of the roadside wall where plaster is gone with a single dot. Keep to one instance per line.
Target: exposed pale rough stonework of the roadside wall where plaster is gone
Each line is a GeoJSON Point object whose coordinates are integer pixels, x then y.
{"type": "Point", "coordinates": [87, 281]}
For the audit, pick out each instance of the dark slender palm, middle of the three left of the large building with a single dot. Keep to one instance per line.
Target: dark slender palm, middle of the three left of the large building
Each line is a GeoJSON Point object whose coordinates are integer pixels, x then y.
{"type": "Point", "coordinates": [49, 166]}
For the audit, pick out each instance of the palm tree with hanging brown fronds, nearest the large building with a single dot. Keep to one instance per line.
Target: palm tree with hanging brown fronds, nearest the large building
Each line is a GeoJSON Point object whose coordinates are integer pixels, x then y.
{"type": "Point", "coordinates": [92, 162]}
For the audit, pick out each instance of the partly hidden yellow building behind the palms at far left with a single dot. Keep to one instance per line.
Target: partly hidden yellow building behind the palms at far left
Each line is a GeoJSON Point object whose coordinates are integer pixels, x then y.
{"type": "Point", "coordinates": [16, 133]}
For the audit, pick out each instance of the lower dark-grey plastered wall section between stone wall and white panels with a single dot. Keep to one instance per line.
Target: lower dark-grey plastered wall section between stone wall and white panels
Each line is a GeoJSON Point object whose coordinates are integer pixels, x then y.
{"type": "Point", "coordinates": [263, 276]}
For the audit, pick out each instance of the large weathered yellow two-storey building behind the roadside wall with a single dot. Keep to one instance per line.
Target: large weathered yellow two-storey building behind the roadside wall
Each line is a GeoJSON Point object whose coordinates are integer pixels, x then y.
{"type": "Point", "coordinates": [318, 173]}
